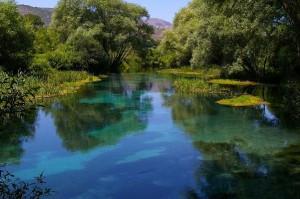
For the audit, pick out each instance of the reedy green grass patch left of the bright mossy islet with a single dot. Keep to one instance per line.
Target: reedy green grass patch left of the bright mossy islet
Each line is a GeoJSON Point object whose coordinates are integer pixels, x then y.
{"type": "Point", "coordinates": [198, 86]}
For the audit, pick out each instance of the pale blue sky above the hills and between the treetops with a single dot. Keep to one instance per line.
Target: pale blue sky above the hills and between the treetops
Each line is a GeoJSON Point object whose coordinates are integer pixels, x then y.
{"type": "Point", "coordinates": [164, 9]}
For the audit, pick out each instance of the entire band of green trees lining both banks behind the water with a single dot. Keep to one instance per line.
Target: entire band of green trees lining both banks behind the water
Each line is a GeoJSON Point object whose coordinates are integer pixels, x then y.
{"type": "Point", "coordinates": [257, 40]}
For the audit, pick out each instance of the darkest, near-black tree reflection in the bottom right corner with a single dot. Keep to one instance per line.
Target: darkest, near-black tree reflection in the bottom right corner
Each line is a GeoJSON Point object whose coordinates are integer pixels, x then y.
{"type": "Point", "coordinates": [224, 174]}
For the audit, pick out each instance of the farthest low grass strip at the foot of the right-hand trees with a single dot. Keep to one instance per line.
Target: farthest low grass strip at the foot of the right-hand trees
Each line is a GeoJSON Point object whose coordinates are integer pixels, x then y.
{"type": "Point", "coordinates": [211, 73]}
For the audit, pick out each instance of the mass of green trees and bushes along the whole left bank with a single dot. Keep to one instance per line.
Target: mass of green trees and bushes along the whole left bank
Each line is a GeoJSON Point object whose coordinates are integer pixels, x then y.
{"type": "Point", "coordinates": [97, 36]}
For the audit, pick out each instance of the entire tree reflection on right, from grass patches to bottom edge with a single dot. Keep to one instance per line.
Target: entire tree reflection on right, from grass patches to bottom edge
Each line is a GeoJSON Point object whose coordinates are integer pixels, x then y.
{"type": "Point", "coordinates": [246, 153]}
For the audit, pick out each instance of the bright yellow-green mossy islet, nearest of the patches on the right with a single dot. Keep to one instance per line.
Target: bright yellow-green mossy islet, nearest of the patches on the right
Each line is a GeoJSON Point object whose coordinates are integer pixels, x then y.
{"type": "Point", "coordinates": [244, 100]}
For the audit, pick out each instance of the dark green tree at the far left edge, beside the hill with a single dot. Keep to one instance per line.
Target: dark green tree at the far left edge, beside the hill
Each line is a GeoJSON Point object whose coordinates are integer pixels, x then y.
{"type": "Point", "coordinates": [16, 39]}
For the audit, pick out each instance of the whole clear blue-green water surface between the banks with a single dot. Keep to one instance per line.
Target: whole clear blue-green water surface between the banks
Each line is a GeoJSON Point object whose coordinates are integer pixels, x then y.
{"type": "Point", "coordinates": [132, 136]}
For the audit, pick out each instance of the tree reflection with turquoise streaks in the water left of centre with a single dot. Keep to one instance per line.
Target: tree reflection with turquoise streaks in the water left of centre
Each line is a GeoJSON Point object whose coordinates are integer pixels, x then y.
{"type": "Point", "coordinates": [104, 117]}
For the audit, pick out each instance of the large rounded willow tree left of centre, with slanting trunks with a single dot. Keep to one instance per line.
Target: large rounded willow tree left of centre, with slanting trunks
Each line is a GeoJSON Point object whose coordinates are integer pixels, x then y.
{"type": "Point", "coordinates": [104, 32]}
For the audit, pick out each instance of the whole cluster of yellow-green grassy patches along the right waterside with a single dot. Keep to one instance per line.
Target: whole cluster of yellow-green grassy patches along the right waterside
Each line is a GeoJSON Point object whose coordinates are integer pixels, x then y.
{"type": "Point", "coordinates": [208, 82]}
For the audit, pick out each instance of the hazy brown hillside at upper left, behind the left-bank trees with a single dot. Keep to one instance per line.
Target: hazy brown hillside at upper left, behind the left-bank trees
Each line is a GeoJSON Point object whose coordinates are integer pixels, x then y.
{"type": "Point", "coordinates": [44, 13]}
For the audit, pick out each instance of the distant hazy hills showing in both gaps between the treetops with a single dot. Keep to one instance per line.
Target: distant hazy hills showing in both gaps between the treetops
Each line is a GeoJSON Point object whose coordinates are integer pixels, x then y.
{"type": "Point", "coordinates": [45, 13]}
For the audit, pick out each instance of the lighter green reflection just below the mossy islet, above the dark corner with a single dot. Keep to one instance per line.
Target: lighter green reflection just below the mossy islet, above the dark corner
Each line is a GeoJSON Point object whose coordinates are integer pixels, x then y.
{"type": "Point", "coordinates": [249, 128]}
